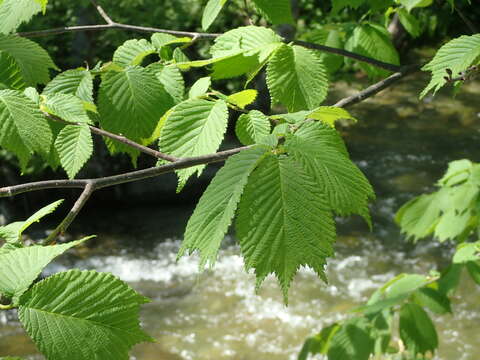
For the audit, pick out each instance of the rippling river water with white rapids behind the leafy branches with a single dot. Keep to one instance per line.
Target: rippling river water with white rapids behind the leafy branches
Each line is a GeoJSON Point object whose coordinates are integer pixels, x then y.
{"type": "Point", "coordinates": [402, 144]}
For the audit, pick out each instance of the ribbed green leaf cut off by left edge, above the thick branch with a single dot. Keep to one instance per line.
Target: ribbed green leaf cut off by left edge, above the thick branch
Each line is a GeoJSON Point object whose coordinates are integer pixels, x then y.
{"type": "Point", "coordinates": [24, 129]}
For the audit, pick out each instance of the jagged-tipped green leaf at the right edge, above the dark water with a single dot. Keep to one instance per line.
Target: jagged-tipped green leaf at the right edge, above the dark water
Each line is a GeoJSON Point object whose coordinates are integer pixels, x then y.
{"type": "Point", "coordinates": [456, 55]}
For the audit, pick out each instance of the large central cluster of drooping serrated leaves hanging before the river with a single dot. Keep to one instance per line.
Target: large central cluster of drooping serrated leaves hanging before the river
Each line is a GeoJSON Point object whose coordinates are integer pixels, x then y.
{"type": "Point", "coordinates": [286, 192]}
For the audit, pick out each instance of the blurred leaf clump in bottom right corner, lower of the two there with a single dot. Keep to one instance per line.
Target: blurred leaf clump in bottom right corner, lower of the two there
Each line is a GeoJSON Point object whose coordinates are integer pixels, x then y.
{"type": "Point", "coordinates": [395, 322]}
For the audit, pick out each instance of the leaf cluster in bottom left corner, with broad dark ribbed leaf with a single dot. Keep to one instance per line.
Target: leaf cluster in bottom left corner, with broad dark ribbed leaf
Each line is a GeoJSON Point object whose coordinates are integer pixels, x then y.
{"type": "Point", "coordinates": [61, 311]}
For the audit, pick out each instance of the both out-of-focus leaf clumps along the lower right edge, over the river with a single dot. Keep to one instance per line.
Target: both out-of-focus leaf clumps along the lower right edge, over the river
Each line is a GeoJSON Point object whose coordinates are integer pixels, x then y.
{"type": "Point", "coordinates": [397, 310]}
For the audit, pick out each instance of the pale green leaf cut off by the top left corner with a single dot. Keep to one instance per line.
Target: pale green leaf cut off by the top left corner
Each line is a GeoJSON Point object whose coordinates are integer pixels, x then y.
{"type": "Point", "coordinates": [15, 12]}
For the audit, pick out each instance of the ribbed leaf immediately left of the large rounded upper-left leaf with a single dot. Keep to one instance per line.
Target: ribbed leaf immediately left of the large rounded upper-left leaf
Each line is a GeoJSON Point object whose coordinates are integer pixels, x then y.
{"type": "Point", "coordinates": [78, 82]}
